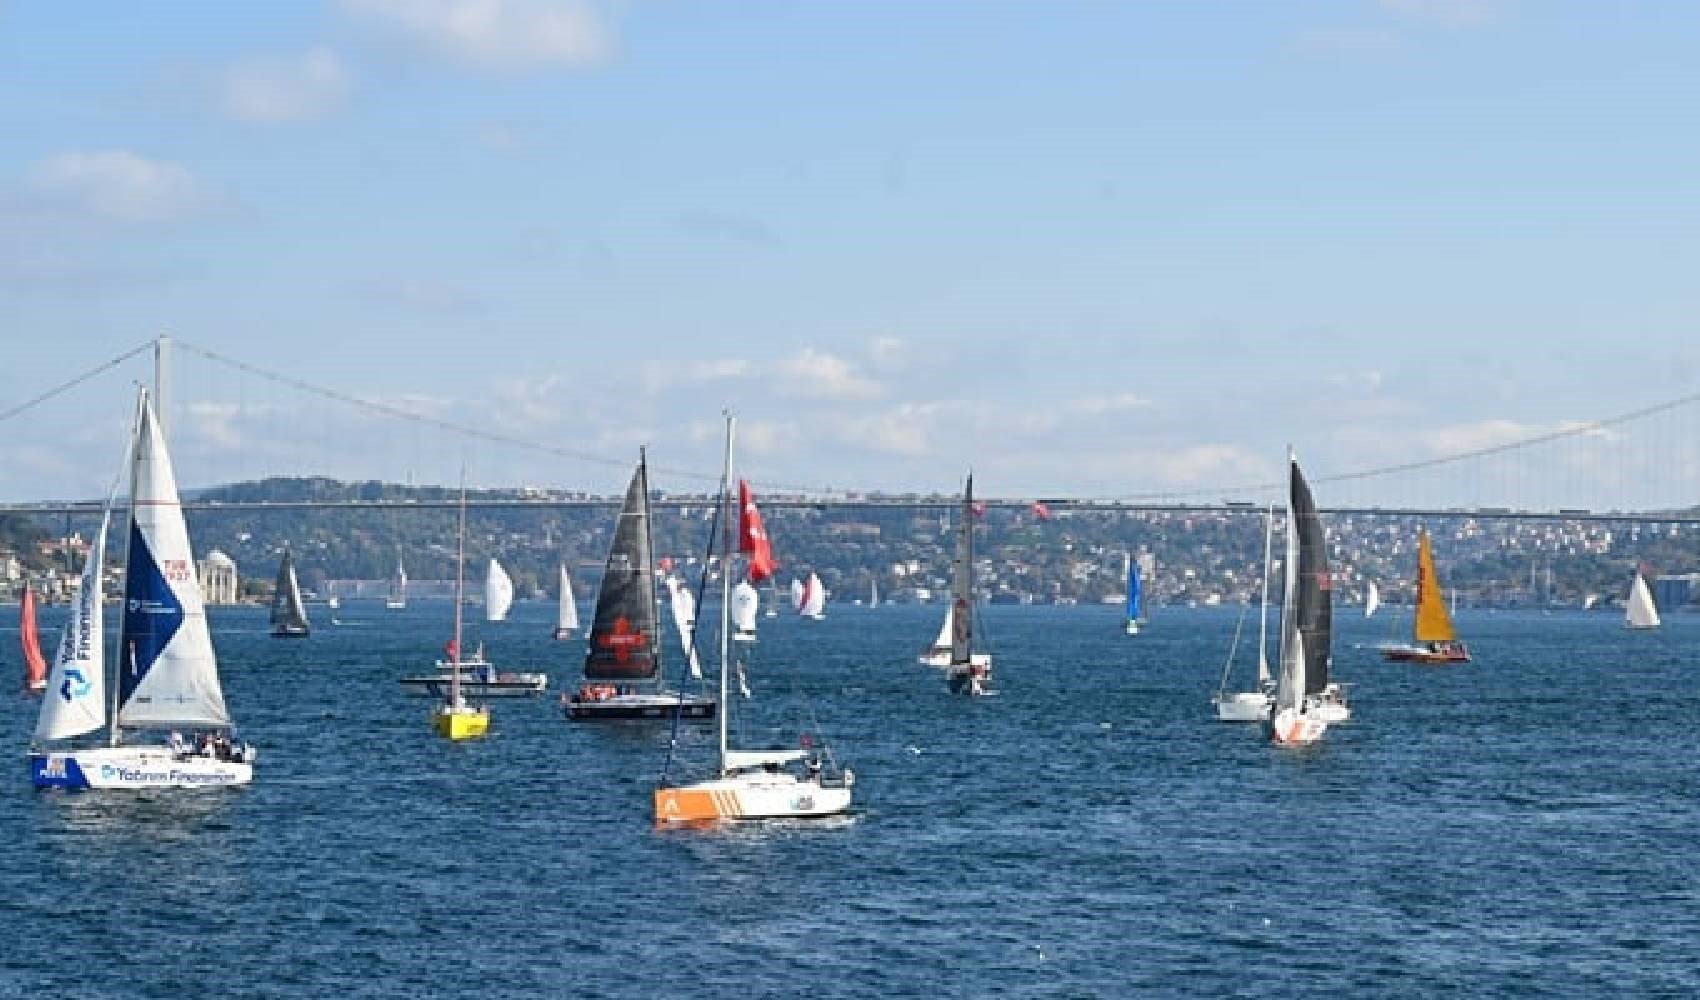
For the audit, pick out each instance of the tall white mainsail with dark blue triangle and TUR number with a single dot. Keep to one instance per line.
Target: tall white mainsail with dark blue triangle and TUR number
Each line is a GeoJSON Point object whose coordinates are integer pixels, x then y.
{"type": "Point", "coordinates": [167, 669]}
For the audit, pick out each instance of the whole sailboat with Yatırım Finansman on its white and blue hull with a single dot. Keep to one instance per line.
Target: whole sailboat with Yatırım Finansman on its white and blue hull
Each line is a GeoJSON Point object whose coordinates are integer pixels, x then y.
{"type": "Point", "coordinates": [167, 673]}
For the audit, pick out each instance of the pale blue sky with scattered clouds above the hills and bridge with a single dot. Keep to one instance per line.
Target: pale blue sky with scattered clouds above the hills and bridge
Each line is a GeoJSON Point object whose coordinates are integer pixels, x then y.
{"type": "Point", "coordinates": [1101, 249]}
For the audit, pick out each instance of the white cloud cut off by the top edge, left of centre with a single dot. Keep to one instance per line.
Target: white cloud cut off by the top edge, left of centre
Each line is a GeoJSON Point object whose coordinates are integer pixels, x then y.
{"type": "Point", "coordinates": [506, 35]}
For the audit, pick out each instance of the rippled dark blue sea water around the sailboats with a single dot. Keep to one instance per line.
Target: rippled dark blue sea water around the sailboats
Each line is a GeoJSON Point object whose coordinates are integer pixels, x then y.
{"type": "Point", "coordinates": [1521, 826]}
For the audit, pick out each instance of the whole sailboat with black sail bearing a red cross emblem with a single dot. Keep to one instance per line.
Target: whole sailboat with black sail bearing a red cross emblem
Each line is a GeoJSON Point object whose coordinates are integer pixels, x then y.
{"type": "Point", "coordinates": [623, 657]}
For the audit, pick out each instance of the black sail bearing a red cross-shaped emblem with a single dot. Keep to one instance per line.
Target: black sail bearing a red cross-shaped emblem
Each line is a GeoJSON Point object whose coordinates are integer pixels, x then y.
{"type": "Point", "coordinates": [625, 634]}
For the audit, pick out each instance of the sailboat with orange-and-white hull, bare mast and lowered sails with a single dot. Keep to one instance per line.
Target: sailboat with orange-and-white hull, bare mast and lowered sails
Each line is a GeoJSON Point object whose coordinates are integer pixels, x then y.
{"type": "Point", "coordinates": [752, 785]}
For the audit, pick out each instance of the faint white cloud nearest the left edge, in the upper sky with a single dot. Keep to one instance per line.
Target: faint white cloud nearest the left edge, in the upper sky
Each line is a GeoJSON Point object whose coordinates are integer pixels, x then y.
{"type": "Point", "coordinates": [118, 185]}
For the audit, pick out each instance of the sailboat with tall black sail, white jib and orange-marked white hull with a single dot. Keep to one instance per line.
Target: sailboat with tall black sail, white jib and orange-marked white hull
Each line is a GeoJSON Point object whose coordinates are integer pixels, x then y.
{"type": "Point", "coordinates": [1306, 635]}
